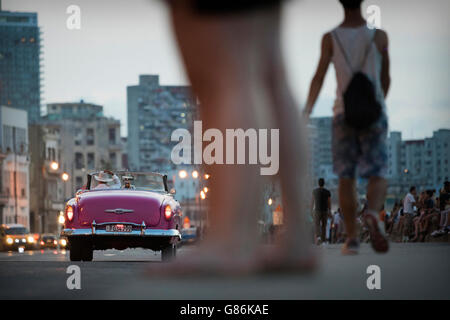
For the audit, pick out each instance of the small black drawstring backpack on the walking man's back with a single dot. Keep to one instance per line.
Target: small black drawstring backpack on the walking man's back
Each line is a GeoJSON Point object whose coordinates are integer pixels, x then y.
{"type": "Point", "coordinates": [361, 108]}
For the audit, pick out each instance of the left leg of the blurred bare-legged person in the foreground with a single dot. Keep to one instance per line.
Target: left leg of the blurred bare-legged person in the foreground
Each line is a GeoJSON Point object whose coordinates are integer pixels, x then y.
{"type": "Point", "coordinates": [222, 59]}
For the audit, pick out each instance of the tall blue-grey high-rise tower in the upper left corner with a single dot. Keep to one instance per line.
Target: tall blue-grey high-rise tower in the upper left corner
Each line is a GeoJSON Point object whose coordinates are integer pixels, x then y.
{"type": "Point", "coordinates": [20, 46]}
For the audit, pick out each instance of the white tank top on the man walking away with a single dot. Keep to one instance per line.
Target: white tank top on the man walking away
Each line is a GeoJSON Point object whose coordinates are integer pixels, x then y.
{"type": "Point", "coordinates": [355, 42]}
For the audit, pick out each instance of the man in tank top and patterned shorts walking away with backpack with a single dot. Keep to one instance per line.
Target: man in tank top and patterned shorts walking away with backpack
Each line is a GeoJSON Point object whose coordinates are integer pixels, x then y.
{"type": "Point", "coordinates": [360, 57]}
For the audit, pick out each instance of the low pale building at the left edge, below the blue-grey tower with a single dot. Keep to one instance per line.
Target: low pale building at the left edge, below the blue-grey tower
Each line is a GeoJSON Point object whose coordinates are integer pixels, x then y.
{"type": "Point", "coordinates": [14, 169]}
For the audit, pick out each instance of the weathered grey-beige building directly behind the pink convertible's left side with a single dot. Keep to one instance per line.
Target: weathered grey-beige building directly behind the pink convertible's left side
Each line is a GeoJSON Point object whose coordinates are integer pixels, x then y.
{"type": "Point", "coordinates": [88, 141]}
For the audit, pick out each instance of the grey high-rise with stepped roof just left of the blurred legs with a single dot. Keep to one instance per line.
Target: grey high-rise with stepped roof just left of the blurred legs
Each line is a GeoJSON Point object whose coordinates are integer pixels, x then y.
{"type": "Point", "coordinates": [154, 112]}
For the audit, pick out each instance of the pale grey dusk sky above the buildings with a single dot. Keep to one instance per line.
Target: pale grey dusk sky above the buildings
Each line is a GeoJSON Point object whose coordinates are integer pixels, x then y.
{"type": "Point", "coordinates": [119, 40]}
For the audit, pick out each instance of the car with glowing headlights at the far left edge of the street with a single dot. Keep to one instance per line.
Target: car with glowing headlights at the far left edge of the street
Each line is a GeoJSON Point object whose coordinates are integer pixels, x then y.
{"type": "Point", "coordinates": [14, 236]}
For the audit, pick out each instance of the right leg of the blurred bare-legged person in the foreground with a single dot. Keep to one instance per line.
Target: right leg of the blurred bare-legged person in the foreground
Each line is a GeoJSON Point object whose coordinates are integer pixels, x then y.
{"type": "Point", "coordinates": [294, 247]}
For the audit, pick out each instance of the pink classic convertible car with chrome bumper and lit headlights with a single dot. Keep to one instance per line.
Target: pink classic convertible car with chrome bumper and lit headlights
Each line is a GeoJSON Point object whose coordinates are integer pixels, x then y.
{"type": "Point", "coordinates": [125, 210]}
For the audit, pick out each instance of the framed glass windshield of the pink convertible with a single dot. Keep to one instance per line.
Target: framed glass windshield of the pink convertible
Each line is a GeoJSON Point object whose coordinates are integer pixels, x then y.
{"type": "Point", "coordinates": [132, 181]}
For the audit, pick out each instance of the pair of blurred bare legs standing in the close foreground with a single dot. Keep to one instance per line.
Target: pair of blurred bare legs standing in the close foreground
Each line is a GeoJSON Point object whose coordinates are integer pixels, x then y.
{"type": "Point", "coordinates": [235, 67]}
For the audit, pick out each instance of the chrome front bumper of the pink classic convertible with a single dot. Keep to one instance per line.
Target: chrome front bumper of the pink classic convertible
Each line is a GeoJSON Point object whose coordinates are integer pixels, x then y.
{"type": "Point", "coordinates": [170, 233]}
